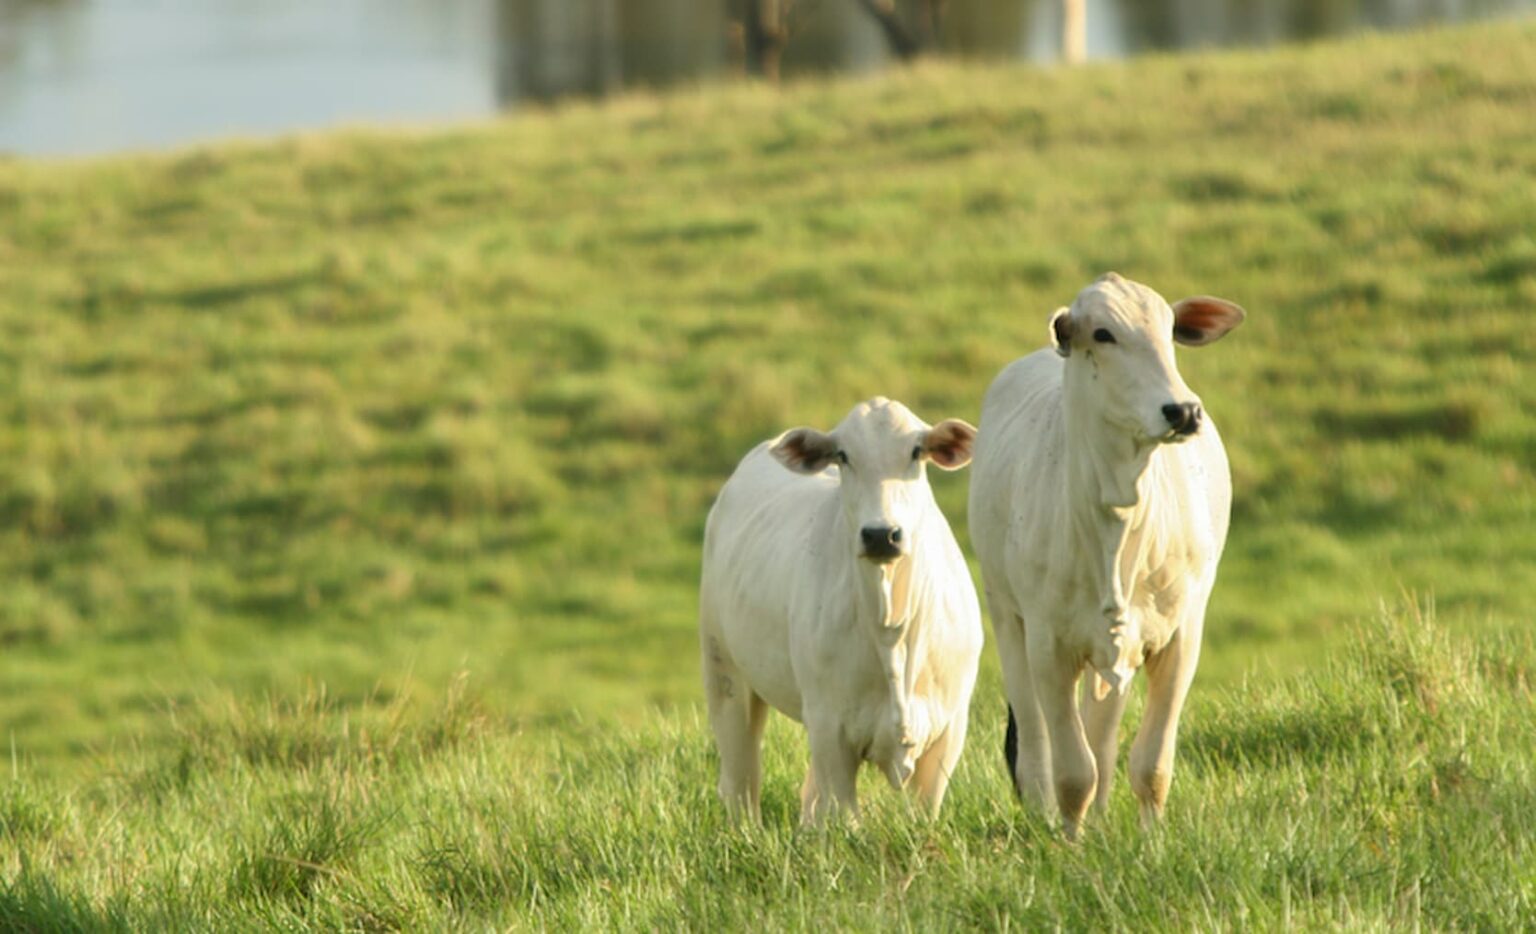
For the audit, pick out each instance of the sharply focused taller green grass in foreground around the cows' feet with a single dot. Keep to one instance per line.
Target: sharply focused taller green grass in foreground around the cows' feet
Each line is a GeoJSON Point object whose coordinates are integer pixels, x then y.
{"type": "Point", "coordinates": [1389, 787]}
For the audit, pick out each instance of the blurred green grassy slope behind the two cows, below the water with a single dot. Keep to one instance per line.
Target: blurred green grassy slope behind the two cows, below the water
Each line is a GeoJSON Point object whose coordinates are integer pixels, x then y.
{"type": "Point", "coordinates": [371, 409]}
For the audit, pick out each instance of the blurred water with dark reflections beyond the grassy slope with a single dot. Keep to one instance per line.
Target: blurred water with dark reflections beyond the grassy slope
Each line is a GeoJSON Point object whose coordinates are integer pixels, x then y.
{"type": "Point", "coordinates": [101, 76]}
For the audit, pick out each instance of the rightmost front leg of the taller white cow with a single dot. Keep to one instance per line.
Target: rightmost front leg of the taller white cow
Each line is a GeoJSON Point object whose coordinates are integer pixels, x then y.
{"type": "Point", "coordinates": [1170, 674]}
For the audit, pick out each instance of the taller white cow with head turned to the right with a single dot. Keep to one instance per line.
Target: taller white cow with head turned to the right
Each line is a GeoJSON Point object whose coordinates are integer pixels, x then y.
{"type": "Point", "coordinates": [1099, 508]}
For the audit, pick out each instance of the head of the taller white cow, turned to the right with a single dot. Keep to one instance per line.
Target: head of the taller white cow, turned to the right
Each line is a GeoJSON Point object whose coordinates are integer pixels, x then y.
{"type": "Point", "coordinates": [1119, 340]}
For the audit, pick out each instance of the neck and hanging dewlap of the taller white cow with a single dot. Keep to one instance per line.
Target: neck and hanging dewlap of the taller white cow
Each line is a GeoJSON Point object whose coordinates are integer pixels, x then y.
{"type": "Point", "coordinates": [1107, 471]}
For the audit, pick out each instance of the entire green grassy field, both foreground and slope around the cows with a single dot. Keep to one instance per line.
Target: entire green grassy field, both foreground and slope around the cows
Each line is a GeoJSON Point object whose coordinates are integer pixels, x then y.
{"type": "Point", "coordinates": [351, 491]}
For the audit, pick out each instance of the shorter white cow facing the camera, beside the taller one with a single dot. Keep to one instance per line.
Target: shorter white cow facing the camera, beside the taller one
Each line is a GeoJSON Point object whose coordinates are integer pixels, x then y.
{"type": "Point", "coordinates": [835, 592]}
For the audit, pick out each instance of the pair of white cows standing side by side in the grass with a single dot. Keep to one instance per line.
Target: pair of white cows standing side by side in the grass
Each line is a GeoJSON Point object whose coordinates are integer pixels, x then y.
{"type": "Point", "coordinates": [835, 591]}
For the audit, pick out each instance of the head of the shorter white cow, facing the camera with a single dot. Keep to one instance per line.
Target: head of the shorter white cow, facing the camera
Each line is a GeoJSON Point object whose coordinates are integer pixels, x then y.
{"type": "Point", "coordinates": [881, 452]}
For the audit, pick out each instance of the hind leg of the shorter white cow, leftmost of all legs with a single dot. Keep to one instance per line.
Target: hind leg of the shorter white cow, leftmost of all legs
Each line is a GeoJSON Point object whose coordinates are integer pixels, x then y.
{"type": "Point", "coordinates": [738, 718]}
